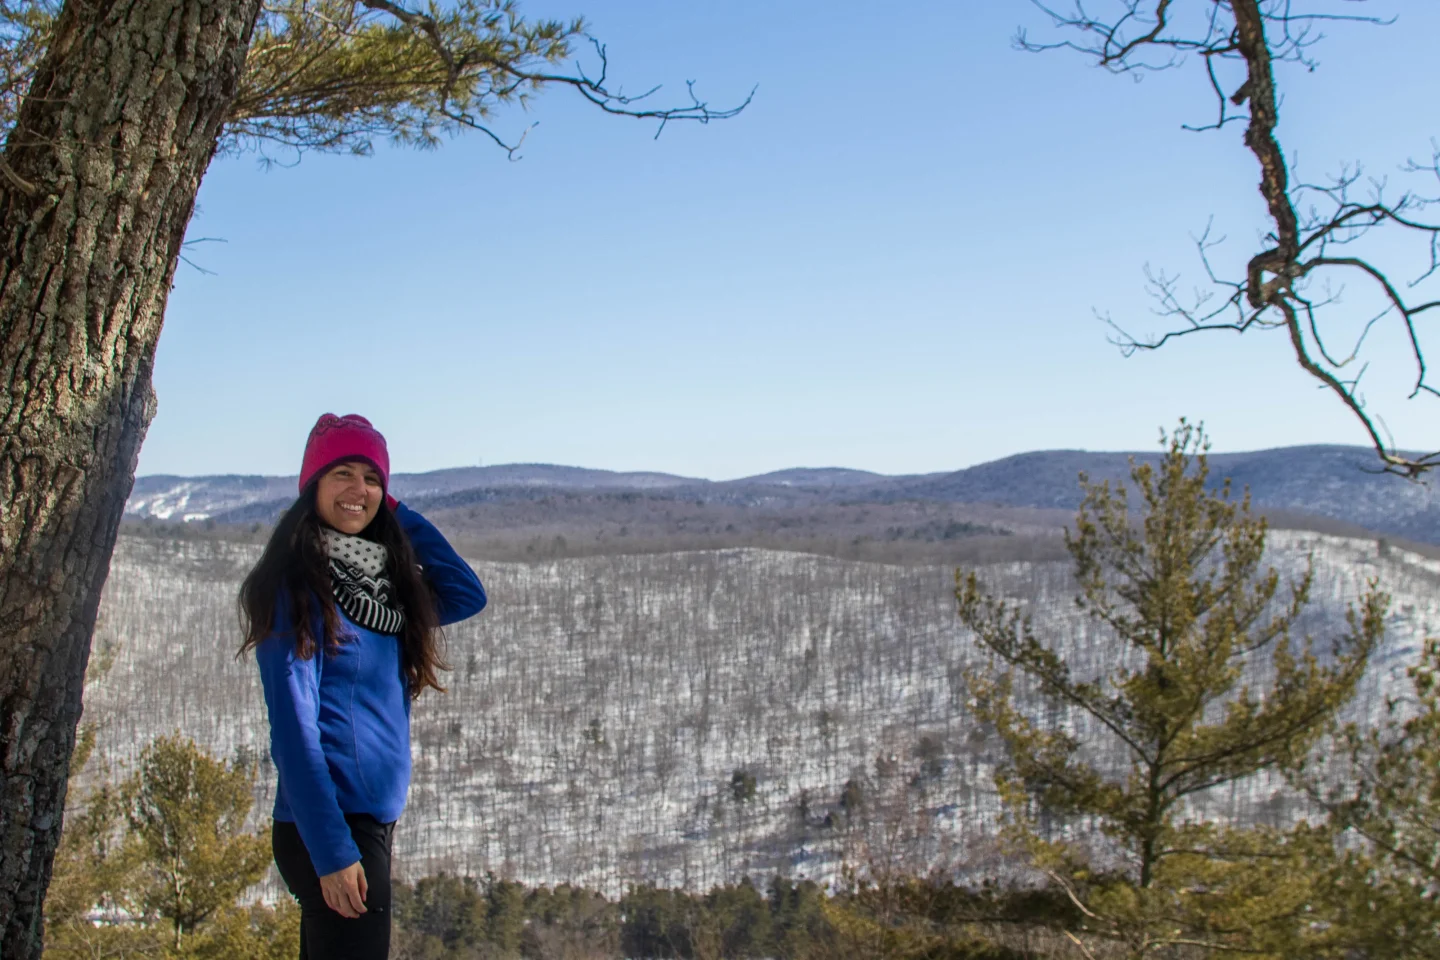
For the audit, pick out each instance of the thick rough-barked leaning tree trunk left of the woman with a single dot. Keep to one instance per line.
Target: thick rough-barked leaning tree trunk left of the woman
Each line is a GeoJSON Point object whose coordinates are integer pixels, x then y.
{"type": "Point", "coordinates": [97, 186]}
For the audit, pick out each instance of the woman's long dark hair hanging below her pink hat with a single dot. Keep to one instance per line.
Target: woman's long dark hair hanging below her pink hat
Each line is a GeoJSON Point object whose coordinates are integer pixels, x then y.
{"type": "Point", "coordinates": [296, 563]}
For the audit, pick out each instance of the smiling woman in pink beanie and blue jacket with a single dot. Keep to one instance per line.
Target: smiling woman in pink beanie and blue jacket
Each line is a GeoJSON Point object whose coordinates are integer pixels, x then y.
{"type": "Point", "coordinates": [343, 612]}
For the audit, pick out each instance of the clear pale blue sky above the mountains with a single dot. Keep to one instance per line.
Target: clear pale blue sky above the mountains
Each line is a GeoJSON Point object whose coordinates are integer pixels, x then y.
{"type": "Point", "coordinates": [891, 261]}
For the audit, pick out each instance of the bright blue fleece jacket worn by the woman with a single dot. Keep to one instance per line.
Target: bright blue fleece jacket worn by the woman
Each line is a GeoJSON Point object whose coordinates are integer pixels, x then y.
{"type": "Point", "coordinates": [341, 725]}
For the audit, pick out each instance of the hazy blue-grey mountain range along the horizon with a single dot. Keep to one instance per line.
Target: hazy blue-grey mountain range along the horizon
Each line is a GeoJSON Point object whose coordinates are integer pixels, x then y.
{"type": "Point", "coordinates": [1336, 483]}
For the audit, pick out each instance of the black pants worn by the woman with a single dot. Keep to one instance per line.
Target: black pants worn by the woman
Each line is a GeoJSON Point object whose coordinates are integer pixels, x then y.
{"type": "Point", "coordinates": [323, 933]}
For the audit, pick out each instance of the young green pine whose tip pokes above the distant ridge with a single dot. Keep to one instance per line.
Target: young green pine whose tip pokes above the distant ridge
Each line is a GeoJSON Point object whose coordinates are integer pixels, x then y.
{"type": "Point", "coordinates": [1202, 686]}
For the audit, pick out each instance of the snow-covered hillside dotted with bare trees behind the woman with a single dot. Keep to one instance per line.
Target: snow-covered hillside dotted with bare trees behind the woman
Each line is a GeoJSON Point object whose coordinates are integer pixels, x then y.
{"type": "Point", "coordinates": [607, 715]}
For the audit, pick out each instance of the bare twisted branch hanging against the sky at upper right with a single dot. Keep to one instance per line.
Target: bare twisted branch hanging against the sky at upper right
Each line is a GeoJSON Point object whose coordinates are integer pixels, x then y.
{"type": "Point", "coordinates": [1323, 234]}
